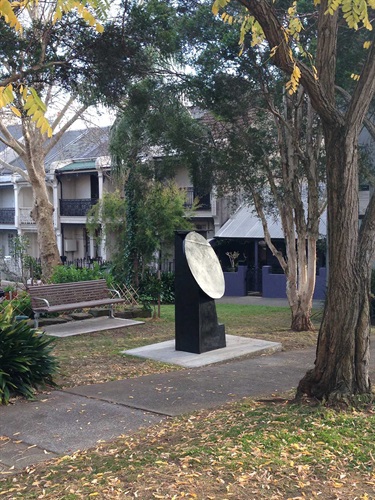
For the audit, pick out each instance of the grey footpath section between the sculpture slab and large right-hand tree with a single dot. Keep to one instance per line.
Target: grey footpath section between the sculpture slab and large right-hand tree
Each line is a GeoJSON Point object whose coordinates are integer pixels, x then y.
{"type": "Point", "coordinates": [187, 390]}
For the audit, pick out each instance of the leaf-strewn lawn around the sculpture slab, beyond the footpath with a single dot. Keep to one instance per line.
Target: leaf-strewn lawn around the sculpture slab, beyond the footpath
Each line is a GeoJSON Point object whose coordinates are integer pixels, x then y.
{"type": "Point", "coordinates": [96, 357]}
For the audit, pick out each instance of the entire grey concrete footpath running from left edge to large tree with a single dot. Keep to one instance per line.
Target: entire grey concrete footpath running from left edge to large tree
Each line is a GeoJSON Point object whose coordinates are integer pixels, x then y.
{"type": "Point", "coordinates": [65, 421]}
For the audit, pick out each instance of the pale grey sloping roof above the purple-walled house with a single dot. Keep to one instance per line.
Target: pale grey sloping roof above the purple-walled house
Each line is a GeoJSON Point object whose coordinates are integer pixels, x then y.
{"type": "Point", "coordinates": [245, 224]}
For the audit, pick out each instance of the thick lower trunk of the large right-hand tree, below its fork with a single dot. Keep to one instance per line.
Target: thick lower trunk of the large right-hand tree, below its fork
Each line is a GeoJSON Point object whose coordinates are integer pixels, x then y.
{"type": "Point", "coordinates": [342, 356]}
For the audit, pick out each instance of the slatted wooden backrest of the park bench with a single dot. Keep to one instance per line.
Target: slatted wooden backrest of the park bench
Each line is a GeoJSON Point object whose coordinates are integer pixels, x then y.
{"type": "Point", "coordinates": [69, 293]}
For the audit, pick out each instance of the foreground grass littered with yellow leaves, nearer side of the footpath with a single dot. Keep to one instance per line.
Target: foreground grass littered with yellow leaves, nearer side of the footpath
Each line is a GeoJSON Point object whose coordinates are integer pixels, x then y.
{"type": "Point", "coordinates": [246, 450]}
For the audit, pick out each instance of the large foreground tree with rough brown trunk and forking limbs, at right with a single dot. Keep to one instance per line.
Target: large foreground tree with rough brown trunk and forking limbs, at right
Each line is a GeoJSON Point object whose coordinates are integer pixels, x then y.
{"type": "Point", "coordinates": [342, 357]}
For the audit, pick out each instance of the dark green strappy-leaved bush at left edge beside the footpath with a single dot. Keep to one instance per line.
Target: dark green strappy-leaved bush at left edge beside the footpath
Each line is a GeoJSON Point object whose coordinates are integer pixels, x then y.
{"type": "Point", "coordinates": [25, 358]}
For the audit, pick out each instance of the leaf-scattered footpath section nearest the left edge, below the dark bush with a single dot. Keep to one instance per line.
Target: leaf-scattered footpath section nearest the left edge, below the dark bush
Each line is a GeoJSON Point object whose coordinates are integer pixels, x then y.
{"type": "Point", "coordinates": [61, 423]}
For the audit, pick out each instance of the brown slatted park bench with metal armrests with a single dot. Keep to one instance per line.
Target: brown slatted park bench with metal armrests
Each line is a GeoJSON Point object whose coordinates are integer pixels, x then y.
{"type": "Point", "coordinates": [68, 296]}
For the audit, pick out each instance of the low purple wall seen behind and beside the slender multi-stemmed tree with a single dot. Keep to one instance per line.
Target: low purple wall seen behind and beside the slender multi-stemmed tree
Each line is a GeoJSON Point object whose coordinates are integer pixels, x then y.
{"type": "Point", "coordinates": [274, 285]}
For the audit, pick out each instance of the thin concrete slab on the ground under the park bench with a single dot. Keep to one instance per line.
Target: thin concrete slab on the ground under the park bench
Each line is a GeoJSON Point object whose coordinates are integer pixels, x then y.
{"type": "Point", "coordinates": [88, 326]}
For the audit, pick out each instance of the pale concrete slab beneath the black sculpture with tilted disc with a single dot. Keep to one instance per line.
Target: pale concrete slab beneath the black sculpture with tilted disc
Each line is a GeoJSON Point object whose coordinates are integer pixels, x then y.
{"type": "Point", "coordinates": [236, 347]}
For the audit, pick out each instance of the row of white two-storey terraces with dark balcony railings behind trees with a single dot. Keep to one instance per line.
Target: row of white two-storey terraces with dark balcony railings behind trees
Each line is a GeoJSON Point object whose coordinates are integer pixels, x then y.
{"type": "Point", "coordinates": [78, 173]}
